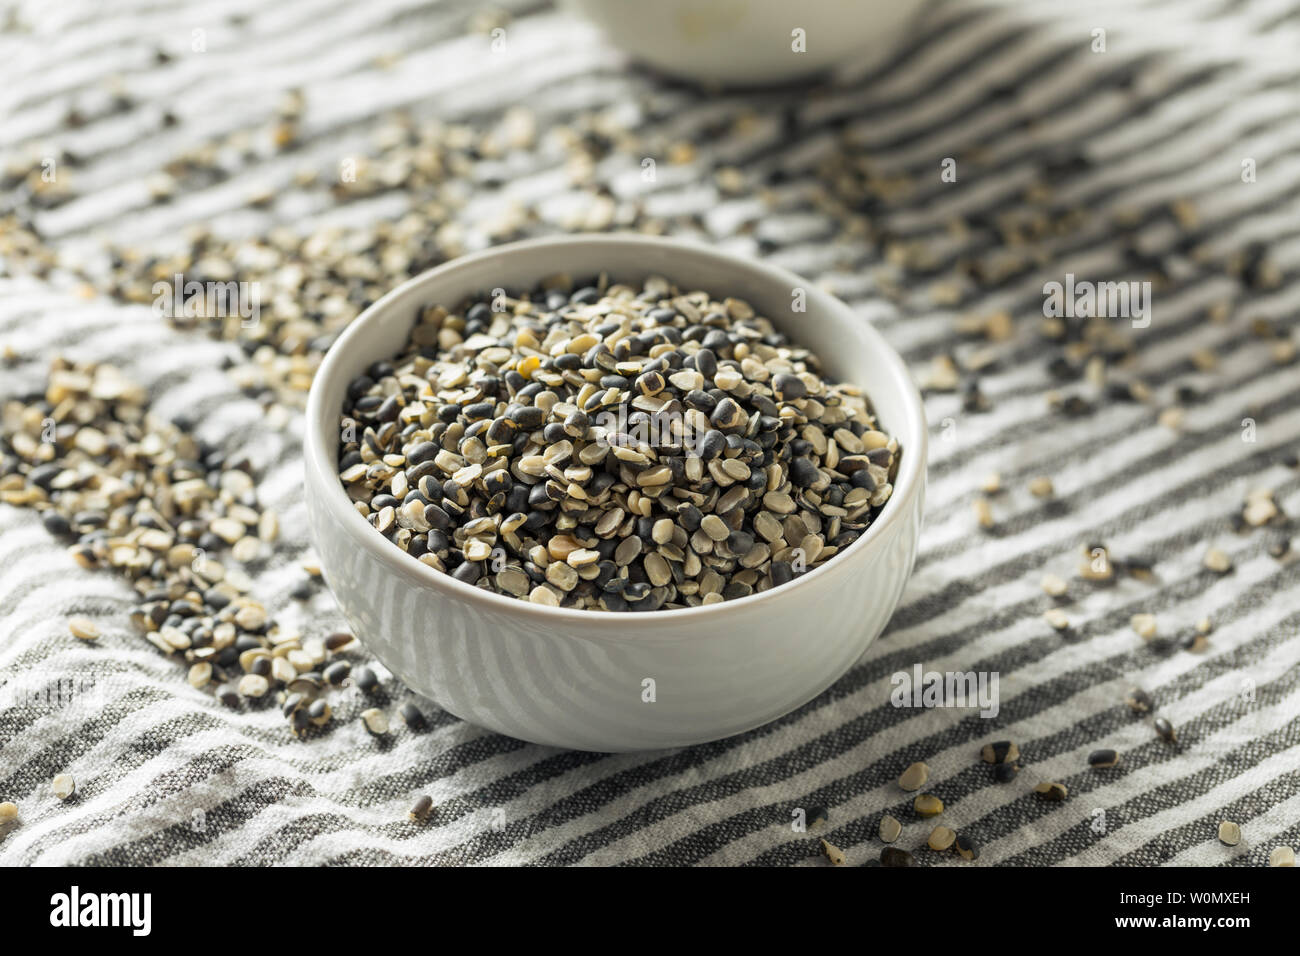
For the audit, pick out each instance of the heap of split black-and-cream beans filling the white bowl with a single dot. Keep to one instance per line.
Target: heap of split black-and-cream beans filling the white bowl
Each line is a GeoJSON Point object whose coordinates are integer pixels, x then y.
{"type": "Point", "coordinates": [613, 449]}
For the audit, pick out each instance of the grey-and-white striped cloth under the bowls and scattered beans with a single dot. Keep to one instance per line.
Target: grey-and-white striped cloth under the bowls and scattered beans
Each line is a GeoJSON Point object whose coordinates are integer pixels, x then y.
{"type": "Point", "coordinates": [1181, 97]}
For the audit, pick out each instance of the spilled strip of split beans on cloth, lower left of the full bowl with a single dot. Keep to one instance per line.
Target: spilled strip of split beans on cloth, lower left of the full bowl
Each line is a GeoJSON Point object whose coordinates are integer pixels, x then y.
{"type": "Point", "coordinates": [137, 495]}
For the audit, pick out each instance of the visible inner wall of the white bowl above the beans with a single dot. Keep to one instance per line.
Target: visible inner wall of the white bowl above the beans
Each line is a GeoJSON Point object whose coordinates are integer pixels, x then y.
{"type": "Point", "coordinates": [850, 348]}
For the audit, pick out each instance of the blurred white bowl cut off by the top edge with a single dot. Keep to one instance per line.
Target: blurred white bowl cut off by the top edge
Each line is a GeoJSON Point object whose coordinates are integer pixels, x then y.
{"type": "Point", "coordinates": [752, 42]}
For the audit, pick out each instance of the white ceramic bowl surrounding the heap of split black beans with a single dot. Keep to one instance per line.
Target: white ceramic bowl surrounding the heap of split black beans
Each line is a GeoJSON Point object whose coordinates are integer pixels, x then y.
{"type": "Point", "coordinates": [578, 678]}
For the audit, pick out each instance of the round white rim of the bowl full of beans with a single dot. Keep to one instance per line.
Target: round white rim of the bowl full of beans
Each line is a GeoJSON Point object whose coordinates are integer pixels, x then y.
{"type": "Point", "coordinates": [909, 485]}
